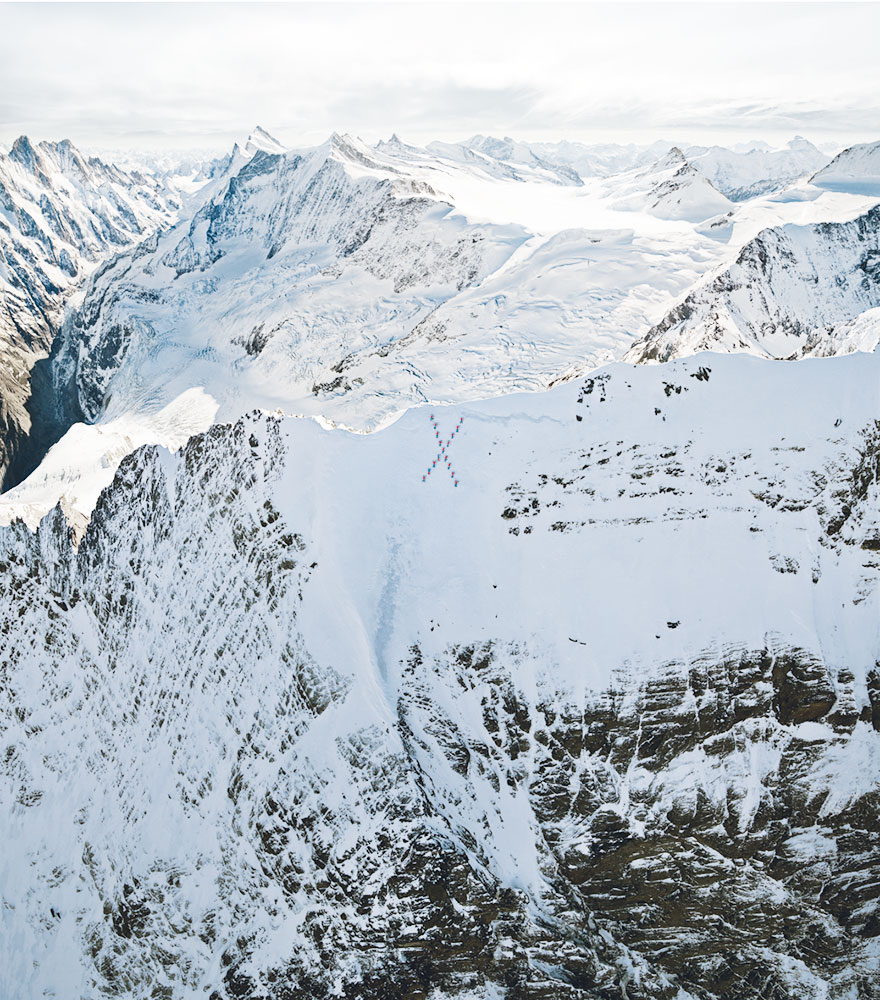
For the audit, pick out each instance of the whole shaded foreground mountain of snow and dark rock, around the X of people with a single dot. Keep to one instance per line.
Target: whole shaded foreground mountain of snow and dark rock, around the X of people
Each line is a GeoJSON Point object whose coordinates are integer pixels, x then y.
{"type": "Point", "coordinates": [600, 722]}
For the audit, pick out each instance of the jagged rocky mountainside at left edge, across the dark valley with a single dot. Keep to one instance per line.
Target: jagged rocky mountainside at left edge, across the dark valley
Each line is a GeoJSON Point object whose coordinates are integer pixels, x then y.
{"type": "Point", "coordinates": [60, 215]}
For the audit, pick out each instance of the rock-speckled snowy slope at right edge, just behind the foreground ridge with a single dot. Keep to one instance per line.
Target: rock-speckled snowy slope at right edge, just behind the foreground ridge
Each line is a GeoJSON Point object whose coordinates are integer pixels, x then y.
{"type": "Point", "coordinates": [793, 291]}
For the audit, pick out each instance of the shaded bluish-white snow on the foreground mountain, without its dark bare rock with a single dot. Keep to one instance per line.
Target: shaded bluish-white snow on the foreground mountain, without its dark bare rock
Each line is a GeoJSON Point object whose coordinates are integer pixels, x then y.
{"type": "Point", "coordinates": [677, 508]}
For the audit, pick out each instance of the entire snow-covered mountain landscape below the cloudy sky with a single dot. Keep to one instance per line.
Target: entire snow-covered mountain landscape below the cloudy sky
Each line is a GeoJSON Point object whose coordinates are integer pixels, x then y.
{"type": "Point", "coordinates": [371, 631]}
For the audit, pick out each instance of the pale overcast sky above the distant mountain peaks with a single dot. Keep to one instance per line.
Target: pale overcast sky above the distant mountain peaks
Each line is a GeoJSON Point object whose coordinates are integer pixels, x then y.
{"type": "Point", "coordinates": [201, 75]}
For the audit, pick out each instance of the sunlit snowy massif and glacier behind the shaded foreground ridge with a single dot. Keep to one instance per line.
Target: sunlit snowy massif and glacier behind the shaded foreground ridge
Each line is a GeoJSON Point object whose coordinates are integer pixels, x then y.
{"type": "Point", "coordinates": [351, 282]}
